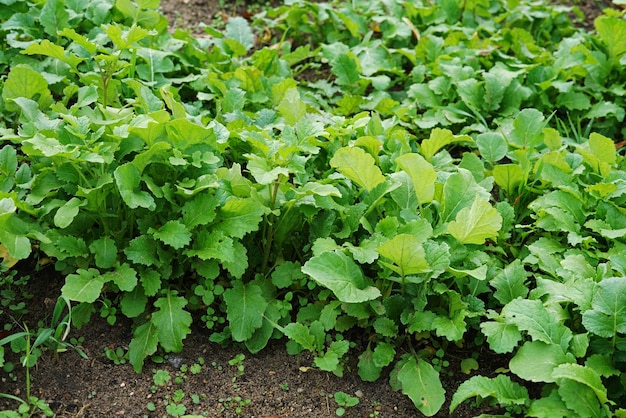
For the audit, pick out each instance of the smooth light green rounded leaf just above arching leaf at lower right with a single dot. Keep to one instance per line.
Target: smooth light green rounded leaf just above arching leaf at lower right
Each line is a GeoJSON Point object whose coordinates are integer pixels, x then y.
{"type": "Point", "coordinates": [536, 360]}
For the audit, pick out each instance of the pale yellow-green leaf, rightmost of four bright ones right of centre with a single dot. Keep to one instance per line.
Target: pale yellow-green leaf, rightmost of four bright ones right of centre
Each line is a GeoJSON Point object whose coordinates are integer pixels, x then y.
{"type": "Point", "coordinates": [476, 224]}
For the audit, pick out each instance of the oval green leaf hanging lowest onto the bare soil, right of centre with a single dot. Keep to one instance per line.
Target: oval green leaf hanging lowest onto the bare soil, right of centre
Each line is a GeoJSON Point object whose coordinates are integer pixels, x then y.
{"type": "Point", "coordinates": [420, 382]}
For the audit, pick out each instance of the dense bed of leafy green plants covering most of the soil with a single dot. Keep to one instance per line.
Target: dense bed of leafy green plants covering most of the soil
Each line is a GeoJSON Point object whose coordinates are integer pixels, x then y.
{"type": "Point", "coordinates": [422, 172]}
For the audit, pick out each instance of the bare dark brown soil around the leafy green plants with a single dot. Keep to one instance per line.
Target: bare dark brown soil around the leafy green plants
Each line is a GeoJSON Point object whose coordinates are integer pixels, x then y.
{"type": "Point", "coordinates": [271, 384]}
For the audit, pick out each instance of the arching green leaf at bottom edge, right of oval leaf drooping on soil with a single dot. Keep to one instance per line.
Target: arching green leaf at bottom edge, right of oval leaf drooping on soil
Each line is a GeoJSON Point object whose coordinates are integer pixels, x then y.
{"type": "Point", "coordinates": [501, 388]}
